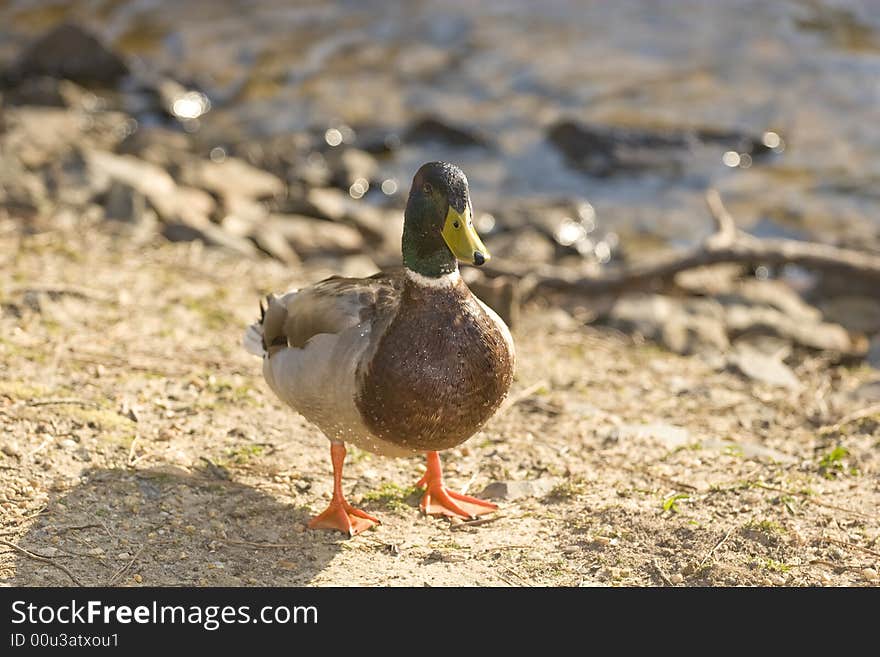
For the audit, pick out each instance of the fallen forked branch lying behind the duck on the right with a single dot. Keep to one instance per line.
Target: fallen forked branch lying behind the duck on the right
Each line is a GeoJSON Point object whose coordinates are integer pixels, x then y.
{"type": "Point", "coordinates": [727, 245]}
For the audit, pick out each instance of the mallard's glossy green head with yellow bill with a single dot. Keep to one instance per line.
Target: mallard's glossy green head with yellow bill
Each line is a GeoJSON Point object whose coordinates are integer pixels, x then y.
{"type": "Point", "coordinates": [438, 228]}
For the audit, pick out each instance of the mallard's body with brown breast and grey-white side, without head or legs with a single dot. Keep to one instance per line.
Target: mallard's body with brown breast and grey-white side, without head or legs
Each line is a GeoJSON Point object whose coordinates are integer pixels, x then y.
{"type": "Point", "coordinates": [393, 364]}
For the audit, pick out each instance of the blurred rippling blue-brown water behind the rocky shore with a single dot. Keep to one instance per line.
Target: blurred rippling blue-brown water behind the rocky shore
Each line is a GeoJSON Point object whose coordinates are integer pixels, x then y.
{"type": "Point", "coordinates": [808, 70]}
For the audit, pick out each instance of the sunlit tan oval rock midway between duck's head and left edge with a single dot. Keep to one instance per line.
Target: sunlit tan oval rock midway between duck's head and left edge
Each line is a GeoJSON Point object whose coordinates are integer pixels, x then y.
{"type": "Point", "coordinates": [233, 177]}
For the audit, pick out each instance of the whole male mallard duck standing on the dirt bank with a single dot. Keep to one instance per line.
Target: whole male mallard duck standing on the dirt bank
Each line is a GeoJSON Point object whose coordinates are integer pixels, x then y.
{"type": "Point", "coordinates": [405, 361]}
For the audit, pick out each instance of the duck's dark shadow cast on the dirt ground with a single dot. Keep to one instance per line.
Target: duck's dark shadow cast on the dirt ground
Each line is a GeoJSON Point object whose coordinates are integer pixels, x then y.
{"type": "Point", "coordinates": [169, 527]}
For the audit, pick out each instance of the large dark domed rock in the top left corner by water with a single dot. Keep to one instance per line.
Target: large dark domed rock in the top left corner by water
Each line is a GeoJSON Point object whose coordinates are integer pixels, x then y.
{"type": "Point", "coordinates": [69, 51]}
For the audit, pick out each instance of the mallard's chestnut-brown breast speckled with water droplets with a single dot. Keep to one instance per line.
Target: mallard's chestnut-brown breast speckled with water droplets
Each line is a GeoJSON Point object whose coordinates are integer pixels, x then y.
{"type": "Point", "coordinates": [439, 372]}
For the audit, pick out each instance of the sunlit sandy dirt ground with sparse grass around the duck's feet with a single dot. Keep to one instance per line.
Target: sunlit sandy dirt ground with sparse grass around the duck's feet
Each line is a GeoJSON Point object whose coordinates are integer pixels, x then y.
{"type": "Point", "coordinates": [140, 446]}
